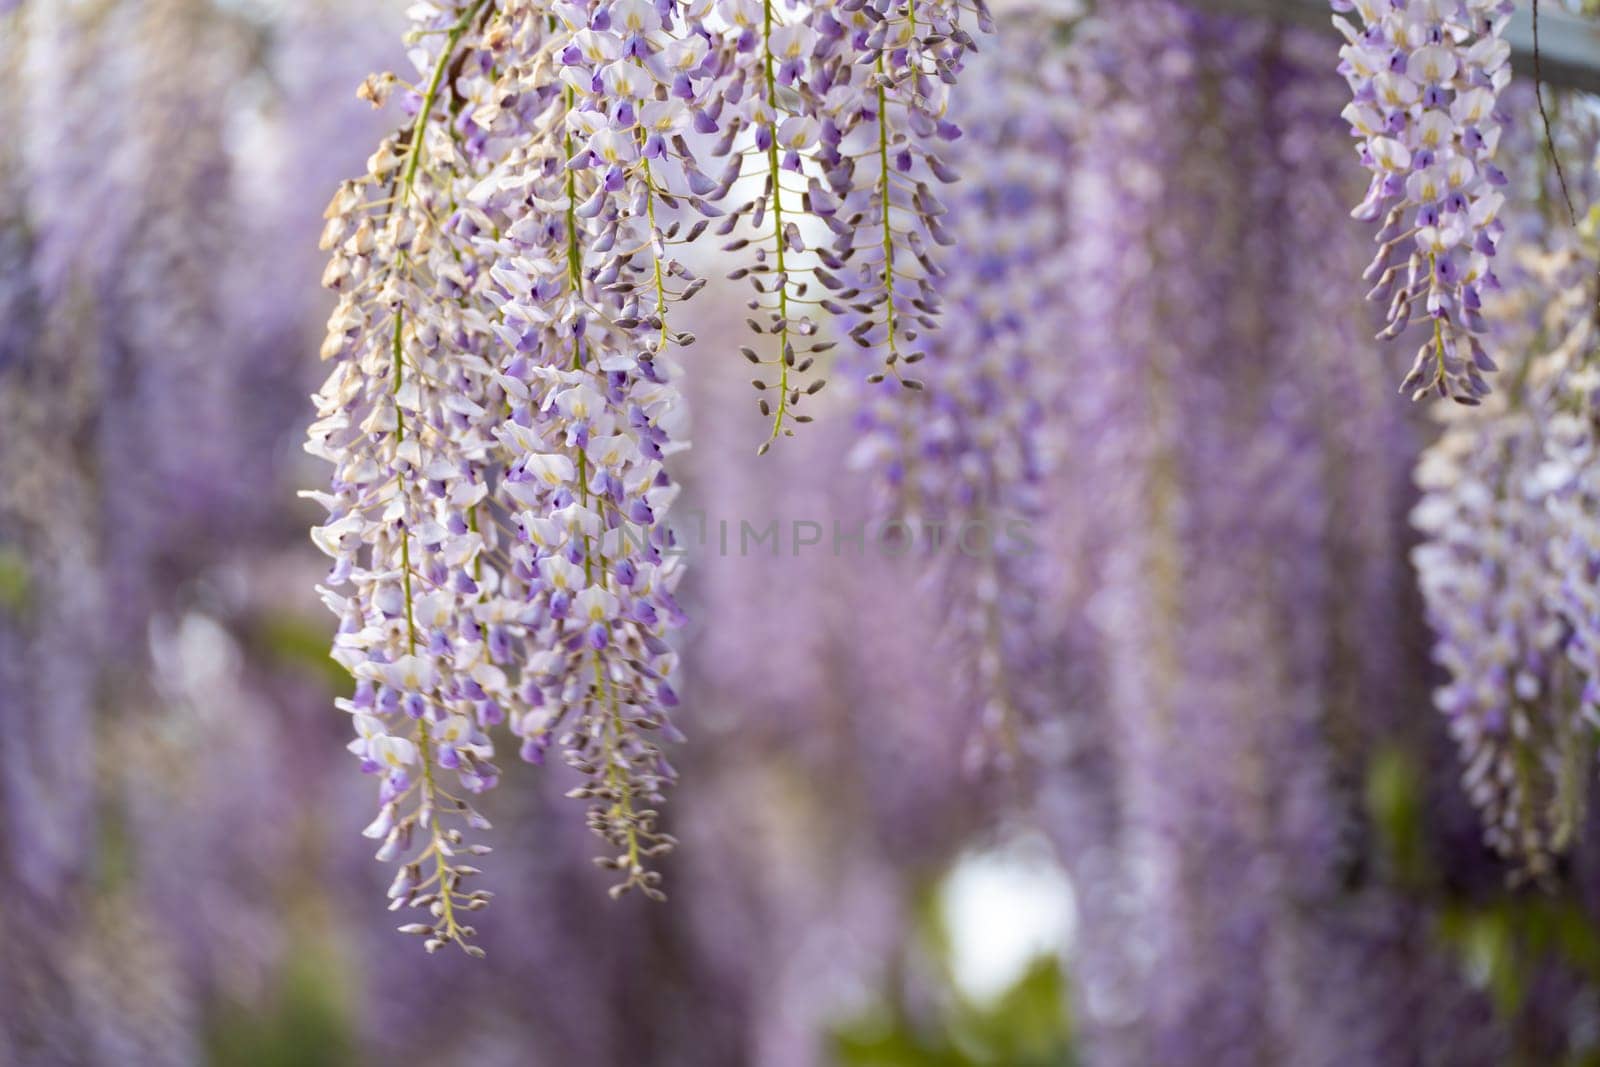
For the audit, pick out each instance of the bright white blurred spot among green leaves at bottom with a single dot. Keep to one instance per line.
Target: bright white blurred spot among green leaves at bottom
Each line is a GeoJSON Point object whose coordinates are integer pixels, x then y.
{"type": "Point", "coordinates": [1006, 908]}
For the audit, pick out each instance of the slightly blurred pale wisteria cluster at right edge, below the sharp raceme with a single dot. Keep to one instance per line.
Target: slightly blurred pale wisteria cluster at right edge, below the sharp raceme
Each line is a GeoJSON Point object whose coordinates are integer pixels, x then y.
{"type": "Point", "coordinates": [1510, 572]}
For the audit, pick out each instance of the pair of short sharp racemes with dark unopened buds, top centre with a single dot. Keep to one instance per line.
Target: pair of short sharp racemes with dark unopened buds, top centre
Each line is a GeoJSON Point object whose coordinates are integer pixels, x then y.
{"type": "Point", "coordinates": [847, 111]}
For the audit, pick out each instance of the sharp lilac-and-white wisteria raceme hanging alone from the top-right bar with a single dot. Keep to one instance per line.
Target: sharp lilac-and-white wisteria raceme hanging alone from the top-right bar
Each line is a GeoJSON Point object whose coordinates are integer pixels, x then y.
{"type": "Point", "coordinates": [1426, 79]}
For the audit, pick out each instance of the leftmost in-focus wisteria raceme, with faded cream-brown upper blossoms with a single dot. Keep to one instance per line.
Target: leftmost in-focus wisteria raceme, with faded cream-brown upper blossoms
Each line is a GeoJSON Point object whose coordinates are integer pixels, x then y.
{"type": "Point", "coordinates": [402, 422]}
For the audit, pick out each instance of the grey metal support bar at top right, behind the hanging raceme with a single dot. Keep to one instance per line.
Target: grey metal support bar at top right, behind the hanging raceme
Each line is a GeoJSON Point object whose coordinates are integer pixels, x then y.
{"type": "Point", "coordinates": [1569, 44]}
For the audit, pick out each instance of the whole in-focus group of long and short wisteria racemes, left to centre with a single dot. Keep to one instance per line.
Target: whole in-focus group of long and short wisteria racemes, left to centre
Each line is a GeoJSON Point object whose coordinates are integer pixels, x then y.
{"type": "Point", "coordinates": [503, 399]}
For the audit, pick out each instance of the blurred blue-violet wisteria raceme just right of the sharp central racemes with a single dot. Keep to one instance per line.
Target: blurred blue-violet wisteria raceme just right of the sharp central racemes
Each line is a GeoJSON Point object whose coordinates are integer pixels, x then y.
{"type": "Point", "coordinates": [962, 463]}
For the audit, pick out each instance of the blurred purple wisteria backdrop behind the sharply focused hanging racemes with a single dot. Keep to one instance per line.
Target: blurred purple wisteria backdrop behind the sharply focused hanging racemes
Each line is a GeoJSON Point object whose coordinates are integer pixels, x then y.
{"type": "Point", "coordinates": [1158, 781]}
